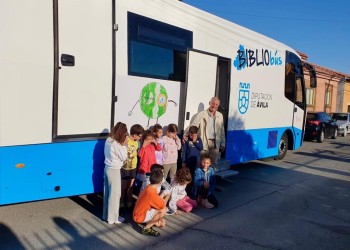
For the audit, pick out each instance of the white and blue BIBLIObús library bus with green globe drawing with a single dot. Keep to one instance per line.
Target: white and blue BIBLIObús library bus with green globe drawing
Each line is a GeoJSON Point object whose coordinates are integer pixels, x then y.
{"type": "Point", "coordinates": [70, 70]}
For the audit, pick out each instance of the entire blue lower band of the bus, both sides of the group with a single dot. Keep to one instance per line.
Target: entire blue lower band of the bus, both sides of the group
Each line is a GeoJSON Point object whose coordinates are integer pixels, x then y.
{"type": "Point", "coordinates": [53, 170]}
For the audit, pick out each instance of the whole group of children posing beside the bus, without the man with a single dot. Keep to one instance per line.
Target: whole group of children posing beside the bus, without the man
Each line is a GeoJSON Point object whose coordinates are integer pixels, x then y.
{"type": "Point", "coordinates": [142, 162]}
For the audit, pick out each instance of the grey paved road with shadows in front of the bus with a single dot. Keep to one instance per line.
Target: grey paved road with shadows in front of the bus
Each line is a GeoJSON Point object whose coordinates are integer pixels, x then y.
{"type": "Point", "coordinates": [301, 202]}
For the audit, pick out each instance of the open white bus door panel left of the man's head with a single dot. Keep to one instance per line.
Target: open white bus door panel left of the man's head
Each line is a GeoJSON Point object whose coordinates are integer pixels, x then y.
{"type": "Point", "coordinates": [201, 82]}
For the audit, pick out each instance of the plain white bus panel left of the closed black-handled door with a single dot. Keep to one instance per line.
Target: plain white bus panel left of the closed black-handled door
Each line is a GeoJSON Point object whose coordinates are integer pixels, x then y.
{"type": "Point", "coordinates": [26, 72]}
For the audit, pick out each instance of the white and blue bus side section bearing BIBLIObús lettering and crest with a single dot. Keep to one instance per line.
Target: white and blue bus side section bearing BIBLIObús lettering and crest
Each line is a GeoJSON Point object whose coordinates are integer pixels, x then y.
{"type": "Point", "coordinates": [259, 111]}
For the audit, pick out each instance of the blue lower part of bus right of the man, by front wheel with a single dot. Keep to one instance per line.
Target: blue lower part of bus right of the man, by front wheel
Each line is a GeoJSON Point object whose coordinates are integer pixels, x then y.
{"type": "Point", "coordinates": [247, 145]}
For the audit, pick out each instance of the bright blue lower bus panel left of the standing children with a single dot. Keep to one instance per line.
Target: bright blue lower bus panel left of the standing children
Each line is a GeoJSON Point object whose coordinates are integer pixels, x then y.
{"type": "Point", "coordinates": [37, 172]}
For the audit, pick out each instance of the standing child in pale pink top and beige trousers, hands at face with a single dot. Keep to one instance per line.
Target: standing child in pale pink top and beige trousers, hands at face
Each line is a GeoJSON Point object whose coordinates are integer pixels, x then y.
{"type": "Point", "coordinates": [171, 146]}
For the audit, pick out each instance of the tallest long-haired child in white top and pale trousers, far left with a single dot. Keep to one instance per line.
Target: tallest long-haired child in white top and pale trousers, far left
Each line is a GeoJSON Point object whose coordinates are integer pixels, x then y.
{"type": "Point", "coordinates": [115, 154]}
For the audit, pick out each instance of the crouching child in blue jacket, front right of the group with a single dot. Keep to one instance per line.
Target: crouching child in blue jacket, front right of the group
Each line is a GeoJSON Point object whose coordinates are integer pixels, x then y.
{"type": "Point", "coordinates": [204, 183]}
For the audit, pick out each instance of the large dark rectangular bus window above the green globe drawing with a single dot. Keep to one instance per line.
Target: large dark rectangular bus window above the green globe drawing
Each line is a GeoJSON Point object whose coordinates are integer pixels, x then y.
{"type": "Point", "coordinates": [156, 49]}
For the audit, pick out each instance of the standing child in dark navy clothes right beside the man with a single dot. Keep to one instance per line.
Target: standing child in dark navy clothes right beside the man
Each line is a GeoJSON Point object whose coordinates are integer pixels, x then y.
{"type": "Point", "coordinates": [191, 150]}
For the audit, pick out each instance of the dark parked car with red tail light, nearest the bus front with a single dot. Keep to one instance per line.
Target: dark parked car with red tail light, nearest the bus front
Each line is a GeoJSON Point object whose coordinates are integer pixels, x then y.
{"type": "Point", "coordinates": [320, 125]}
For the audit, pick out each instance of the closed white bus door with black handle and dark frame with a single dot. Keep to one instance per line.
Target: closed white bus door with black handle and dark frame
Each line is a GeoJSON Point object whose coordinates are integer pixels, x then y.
{"type": "Point", "coordinates": [83, 68]}
